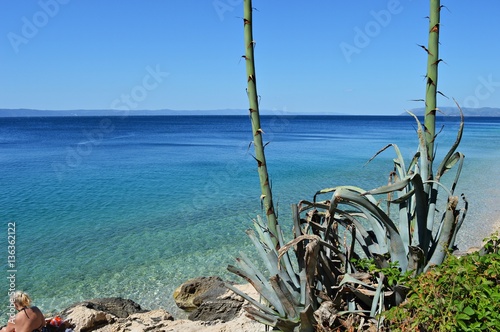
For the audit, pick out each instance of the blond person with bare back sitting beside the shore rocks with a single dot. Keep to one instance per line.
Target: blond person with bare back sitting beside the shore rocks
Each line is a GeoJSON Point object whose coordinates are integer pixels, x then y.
{"type": "Point", "coordinates": [28, 319]}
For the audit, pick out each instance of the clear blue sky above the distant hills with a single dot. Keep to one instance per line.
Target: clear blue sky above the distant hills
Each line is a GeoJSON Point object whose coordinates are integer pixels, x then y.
{"type": "Point", "coordinates": [322, 56]}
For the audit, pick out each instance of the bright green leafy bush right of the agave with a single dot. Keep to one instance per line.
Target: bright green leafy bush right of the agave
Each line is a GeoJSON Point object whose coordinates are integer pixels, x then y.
{"type": "Point", "coordinates": [462, 294]}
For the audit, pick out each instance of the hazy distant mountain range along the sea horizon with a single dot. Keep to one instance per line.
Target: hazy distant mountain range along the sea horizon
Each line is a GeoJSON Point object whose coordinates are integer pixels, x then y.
{"type": "Point", "coordinates": [444, 111]}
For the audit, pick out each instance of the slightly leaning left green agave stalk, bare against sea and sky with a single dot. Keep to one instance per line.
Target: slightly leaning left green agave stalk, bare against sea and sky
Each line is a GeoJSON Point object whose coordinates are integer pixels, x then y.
{"type": "Point", "coordinates": [266, 193]}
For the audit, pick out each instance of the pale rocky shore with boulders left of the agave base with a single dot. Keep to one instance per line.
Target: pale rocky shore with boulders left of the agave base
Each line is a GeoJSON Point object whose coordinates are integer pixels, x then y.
{"type": "Point", "coordinates": [210, 306]}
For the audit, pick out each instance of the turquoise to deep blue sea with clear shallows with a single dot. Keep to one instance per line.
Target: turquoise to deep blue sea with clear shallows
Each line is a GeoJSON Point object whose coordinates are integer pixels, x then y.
{"type": "Point", "coordinates": [134, 206]}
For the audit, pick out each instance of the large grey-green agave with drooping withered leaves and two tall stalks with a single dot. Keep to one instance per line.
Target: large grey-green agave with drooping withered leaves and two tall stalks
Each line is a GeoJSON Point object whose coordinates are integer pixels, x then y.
{"type": "Point", "coordinates": [324, 286]}
